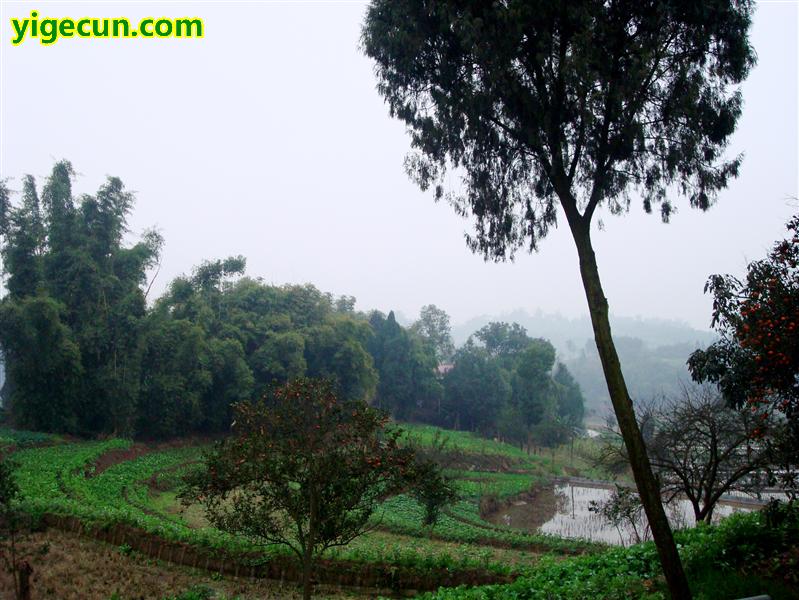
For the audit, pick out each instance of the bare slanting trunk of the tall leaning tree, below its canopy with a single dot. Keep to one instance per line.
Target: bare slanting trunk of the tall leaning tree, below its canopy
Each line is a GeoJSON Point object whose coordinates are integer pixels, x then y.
{"type": "Point", "coordinates": [645, 481]}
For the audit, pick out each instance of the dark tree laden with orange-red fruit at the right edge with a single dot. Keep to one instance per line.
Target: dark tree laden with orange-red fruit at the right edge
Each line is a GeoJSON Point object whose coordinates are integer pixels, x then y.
{"type": "Point", "coordinates": [756, 361]}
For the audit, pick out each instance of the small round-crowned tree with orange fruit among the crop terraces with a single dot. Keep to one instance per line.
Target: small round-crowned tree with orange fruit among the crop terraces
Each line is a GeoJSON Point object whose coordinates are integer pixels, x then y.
{"type": "Point", "coordinates": [305, 469]}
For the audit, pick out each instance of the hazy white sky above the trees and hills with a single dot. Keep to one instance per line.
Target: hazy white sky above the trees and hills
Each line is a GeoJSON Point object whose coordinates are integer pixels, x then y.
{"type": "Point", "coordinates": [267, 138]}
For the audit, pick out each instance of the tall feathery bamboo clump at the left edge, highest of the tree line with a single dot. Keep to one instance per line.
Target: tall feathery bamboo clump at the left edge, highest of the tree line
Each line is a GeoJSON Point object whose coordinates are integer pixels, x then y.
{"type": "Point", "coordinates": [75, 296]}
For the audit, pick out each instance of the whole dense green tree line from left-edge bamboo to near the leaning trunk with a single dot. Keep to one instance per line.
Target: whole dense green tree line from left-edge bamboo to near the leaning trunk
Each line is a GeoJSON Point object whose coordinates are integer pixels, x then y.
{"type": "Point", "coordinates": [85, 354]}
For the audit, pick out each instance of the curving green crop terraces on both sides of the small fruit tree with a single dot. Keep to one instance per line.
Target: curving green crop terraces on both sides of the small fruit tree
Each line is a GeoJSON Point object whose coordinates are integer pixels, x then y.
{"type": "Point", "coordinates": [60, 479]}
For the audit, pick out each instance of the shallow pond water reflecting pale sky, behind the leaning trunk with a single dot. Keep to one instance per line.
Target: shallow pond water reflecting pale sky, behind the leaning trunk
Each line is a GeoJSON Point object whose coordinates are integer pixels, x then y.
{"type": "Point", "coordinates": [563, 510]}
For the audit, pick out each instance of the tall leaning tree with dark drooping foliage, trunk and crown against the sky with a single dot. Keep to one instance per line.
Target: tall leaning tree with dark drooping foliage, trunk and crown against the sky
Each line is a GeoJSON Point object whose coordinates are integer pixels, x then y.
{"type": "Point", "coordinates": [539, 103]}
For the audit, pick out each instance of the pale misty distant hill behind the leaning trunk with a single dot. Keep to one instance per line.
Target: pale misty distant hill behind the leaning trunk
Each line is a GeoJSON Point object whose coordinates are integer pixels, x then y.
{"type": "Point", "coordinates": [652, 351]}
